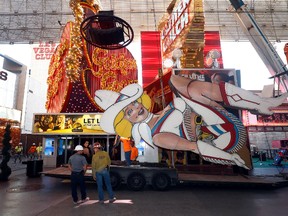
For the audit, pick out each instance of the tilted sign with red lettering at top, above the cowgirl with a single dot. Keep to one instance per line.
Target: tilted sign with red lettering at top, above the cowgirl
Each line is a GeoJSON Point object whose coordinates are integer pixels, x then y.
{"type": "Point", "coordinates": [178, 21]}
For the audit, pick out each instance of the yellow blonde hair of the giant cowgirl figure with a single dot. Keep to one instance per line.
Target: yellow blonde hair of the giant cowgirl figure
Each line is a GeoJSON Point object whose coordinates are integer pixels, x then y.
{"type": "Point", "coordinates": [122, 126]}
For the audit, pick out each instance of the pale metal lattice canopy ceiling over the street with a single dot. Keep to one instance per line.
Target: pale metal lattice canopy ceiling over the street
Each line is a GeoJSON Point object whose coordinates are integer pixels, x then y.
{"type": "Point", "coordinates": [27, 21]}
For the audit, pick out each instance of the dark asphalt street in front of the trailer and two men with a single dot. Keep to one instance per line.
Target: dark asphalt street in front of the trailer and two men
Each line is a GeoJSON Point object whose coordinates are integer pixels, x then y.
{"type": "Point", "coordinates": [47, 196]}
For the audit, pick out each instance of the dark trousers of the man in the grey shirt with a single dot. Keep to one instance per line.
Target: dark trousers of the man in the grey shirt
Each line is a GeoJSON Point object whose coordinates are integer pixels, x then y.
{"type": "Point", "coordinates": [78, 179]}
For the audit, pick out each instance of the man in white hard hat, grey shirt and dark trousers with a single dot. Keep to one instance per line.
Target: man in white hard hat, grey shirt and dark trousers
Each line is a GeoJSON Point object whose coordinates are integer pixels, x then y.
{"type": "Point", "coordinates": [78, 165]}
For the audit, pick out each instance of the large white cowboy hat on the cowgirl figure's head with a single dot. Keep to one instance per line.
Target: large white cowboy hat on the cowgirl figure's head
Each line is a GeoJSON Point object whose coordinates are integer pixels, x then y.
{"type": "Point", "coordinates": [113, 102]}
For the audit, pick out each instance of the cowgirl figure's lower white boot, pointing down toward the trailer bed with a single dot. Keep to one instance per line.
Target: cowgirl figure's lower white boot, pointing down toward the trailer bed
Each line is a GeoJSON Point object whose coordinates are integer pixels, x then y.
{"type": "Point", "coordinates": [215, 155]}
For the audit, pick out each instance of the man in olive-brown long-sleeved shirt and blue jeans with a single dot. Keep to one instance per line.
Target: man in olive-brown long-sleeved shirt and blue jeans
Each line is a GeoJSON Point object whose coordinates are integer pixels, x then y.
{"type": "Point", "coordinates": [100, 170]}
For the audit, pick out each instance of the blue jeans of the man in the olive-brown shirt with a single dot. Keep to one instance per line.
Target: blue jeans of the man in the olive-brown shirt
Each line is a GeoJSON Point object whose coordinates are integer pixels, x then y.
{"type": "Point", "coordinates": [104, 174]}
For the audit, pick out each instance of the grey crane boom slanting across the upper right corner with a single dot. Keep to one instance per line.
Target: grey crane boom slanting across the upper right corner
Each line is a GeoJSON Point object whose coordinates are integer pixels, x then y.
{"type": "Point", "coordinates": [261, 44]}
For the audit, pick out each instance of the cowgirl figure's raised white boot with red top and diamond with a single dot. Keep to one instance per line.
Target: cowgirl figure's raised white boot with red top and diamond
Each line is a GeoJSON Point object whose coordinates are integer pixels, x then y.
{"type": "Point", "coordinates": [234, 96]}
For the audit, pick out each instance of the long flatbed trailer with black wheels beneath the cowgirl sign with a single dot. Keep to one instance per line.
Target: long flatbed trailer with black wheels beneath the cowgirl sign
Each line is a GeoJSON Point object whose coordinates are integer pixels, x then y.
{"type": "Point", "coordinates": [161, 178]}
